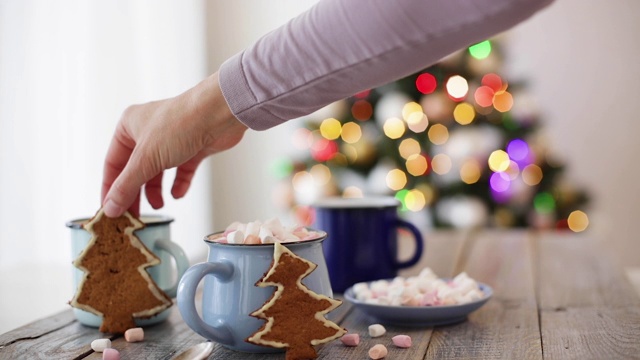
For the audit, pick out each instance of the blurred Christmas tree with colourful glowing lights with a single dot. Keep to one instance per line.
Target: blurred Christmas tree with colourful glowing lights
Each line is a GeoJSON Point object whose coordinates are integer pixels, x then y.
{"type": "Point", "coordinates": [456, 141]}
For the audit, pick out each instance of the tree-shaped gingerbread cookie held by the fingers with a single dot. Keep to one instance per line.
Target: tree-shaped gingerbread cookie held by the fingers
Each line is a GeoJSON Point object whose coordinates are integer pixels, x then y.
{"type": "Point", "coordinates": [116, 284]}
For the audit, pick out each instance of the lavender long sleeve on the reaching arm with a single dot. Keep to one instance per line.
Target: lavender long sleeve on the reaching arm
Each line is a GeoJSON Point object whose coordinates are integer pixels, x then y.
{"type": "Point", "coordinates": [340, 47]}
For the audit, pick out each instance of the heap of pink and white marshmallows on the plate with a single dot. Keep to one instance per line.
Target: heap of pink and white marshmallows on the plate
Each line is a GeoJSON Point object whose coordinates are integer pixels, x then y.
{"type": "Point", "coordinates": [426, 289]}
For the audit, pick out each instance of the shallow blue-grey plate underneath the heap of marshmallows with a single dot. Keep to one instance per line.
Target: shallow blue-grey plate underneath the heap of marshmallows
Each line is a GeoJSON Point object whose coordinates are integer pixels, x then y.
{"type": "Point", "coordinates": [420, 315]}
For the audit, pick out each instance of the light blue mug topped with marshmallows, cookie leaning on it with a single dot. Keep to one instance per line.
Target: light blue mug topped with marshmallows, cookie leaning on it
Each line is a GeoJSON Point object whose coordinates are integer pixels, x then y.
{"type": "Point", "coordinates": [230, 293]}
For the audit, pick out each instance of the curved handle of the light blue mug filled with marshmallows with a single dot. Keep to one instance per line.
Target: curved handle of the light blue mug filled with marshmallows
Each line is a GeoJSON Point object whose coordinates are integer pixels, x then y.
{"type": "Point", "coordinates": [223, 270]}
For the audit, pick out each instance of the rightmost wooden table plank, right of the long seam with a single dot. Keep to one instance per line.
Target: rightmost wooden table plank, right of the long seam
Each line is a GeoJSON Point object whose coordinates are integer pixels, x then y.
{"type": "Point", "coordinates": [589, 310]}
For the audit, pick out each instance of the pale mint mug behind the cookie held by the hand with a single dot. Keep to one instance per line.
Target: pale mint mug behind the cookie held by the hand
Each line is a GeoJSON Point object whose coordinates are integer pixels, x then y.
{"type": "Point", "coordinates": [156, 236]}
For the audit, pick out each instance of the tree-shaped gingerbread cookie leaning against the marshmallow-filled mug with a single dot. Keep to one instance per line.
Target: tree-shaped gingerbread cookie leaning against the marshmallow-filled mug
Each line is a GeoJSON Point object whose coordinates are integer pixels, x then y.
{"type": "Point", "coordinates": [295, 315]}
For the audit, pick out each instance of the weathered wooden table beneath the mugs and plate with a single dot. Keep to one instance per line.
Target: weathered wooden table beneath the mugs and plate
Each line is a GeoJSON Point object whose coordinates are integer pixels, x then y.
{"type": "Point", "coordinates": [556, 296]}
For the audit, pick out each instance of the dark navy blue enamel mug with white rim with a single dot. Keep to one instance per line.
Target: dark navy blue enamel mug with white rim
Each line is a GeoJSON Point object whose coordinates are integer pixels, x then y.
{"type": "Point", "coordinates": [362, 242]}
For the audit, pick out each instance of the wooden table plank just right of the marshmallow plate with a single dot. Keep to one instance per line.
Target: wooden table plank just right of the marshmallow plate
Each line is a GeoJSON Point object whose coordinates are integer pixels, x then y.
{"type": "Point", "coordinates": [507, 326]}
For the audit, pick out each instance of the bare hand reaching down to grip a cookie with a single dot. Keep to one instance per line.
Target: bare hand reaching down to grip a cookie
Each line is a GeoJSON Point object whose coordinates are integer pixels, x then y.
{"type": "Point", "coordinates": [150, 138]}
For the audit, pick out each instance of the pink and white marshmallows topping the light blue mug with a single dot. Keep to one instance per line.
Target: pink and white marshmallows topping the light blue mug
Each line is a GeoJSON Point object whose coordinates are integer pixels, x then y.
{"type": "Point", "coordinates": [267, 232]}
